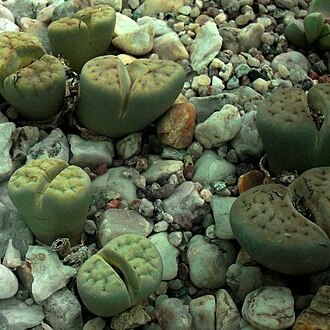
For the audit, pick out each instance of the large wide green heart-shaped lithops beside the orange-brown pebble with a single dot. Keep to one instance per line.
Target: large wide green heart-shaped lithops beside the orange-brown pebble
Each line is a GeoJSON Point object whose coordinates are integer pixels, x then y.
{"type": "Point", "coordinates": [116, 100]}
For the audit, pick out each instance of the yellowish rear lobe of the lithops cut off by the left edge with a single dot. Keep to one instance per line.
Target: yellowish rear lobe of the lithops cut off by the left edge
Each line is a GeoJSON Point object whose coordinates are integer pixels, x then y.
{"type": "Point", "coordinates": [17, 49]}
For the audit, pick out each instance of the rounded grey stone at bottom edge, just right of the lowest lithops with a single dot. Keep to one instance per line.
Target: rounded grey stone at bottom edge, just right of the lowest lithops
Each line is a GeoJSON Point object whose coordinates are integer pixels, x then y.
{"type": "Point", "coordinates": [172, 314]}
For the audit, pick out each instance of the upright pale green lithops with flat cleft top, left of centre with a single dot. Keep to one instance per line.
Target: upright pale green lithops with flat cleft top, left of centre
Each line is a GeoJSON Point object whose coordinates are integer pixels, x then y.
{"type": "Point", "coordinates": [52, 197]}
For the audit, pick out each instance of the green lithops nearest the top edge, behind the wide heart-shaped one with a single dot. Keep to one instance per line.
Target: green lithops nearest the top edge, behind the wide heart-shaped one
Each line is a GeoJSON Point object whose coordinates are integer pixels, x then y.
{"type": "Point", "coordinates": [84, 36]}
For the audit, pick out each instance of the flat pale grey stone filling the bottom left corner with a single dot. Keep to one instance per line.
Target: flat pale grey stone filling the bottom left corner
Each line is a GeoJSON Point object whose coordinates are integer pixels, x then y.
{"type": "Point", "coordinates": [18, 315]}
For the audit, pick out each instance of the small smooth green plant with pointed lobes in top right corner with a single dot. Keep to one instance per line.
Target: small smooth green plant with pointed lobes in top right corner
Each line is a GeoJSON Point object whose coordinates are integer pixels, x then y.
{"type": "Point", "coordinates": [314, 29]}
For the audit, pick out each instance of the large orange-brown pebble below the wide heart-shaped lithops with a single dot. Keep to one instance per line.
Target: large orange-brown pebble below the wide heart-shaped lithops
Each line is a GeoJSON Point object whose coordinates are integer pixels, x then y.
{"type": "Point", "coordinates": [176, 127]}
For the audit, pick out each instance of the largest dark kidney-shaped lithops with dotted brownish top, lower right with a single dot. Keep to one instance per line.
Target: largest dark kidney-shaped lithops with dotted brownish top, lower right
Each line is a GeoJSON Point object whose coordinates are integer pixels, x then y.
{"type": "Point", "coordinates": [286, 228]}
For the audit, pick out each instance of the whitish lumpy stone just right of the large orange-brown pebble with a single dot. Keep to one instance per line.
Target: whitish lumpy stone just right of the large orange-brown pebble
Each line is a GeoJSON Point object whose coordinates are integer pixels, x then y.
{"type": "Point", "coordinates": [221, 127]}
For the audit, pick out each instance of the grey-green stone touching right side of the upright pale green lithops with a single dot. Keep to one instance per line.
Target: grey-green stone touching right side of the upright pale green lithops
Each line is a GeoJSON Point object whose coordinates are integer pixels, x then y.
{"type": "Point", "coordinates": [113, 180]}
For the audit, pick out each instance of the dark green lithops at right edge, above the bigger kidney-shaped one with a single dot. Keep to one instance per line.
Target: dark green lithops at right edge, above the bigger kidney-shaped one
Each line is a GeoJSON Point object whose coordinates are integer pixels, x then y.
{"type": "Point", "coordinates": [295, 128]}
